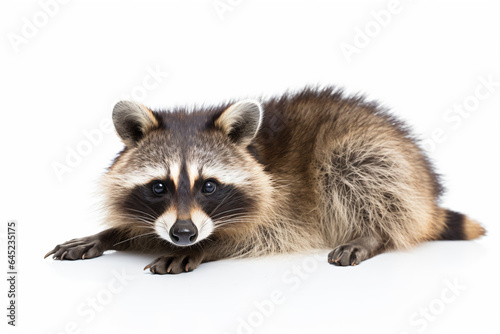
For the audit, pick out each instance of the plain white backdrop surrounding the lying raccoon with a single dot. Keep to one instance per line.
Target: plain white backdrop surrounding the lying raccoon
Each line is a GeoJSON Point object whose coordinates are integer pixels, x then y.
{"type": "Point", "coordinates": [64, 64]}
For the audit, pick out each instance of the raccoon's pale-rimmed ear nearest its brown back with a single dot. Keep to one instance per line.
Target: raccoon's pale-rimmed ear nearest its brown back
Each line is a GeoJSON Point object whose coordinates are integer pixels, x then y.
{"type": "Point", "coordinates": [241, 121]}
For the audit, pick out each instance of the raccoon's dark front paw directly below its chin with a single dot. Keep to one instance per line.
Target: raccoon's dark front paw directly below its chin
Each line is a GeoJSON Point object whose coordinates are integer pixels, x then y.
{"type": "Point", "coordinates": [175, 264]}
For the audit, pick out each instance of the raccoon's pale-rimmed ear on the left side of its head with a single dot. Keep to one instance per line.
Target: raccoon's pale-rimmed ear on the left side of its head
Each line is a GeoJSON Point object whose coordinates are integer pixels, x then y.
{"type": "Point", "coordinates": [132, 121]}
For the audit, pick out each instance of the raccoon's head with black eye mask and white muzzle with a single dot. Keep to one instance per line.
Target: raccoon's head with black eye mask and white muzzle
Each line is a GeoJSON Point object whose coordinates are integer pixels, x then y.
{"type": "Point", "coordinates": [185, 175]}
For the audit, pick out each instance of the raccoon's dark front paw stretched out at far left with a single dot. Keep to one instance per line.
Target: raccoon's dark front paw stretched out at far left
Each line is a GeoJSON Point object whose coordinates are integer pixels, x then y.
{"type": "Point", "coordinates": [75, 249]}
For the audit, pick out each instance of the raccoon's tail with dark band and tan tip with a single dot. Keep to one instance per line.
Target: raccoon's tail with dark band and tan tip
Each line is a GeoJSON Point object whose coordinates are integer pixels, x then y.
{"type": "Point", "coordinates": [460, 227]}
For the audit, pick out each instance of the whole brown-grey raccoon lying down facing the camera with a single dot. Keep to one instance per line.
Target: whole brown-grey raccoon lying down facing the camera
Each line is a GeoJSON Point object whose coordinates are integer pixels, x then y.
{"type": "Point", "coordinates": [313, 169]}
